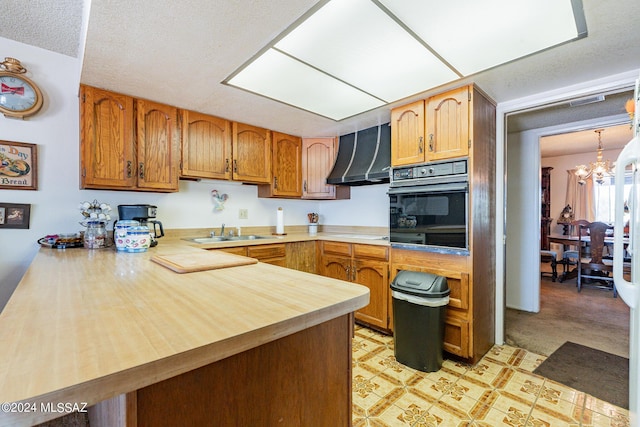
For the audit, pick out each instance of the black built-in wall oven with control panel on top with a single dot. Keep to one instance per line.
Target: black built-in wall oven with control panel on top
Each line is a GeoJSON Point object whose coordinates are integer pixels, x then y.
{"type": "Point", "coordinates": [429, 207]}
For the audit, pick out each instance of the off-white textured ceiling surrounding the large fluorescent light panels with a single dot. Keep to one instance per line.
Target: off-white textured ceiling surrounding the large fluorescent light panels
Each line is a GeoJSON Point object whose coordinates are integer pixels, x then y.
{"type": "Point", "coordinates": [179, 52]}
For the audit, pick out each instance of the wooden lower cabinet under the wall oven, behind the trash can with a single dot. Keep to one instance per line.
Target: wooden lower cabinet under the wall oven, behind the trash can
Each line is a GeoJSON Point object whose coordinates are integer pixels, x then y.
{"type": "Point", "coordinates": [469, 327]}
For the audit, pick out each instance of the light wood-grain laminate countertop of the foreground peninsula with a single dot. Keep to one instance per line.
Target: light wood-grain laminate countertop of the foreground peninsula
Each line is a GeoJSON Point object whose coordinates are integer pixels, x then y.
{"type": "Point", "coordinates": [87, 325]}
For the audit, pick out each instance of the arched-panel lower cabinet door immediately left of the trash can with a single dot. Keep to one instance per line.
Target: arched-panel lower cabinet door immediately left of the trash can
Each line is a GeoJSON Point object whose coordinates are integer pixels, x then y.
{"type": "Point", "coordinates": [374, 275]}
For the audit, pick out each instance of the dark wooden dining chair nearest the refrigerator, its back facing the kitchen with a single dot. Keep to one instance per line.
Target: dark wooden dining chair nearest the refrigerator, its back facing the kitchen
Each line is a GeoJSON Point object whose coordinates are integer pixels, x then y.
{"type": "Point", "coordinates": [591, 264]}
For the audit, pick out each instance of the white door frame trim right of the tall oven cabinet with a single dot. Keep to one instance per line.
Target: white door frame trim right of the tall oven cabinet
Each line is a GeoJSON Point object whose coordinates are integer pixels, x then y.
{"type": "Point", "coordinates": [611, 83]}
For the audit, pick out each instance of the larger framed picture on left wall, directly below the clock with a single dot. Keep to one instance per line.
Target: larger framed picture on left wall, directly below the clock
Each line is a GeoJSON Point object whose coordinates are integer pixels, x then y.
{"type": "Point", "coordinates": [18, 166]}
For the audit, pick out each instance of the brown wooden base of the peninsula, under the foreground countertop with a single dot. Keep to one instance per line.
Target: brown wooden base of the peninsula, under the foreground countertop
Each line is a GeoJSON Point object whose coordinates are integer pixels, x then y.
{"type": "Point", "coordinates": [303, 379]}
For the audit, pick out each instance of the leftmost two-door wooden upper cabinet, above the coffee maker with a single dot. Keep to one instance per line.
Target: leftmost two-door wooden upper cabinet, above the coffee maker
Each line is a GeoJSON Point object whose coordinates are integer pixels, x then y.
{"type": "Point", "coordinates": [112, 158]}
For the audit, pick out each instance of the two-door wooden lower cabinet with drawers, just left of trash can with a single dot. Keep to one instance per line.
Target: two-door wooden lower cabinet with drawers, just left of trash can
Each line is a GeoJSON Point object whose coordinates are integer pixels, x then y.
{"type": "Point", "coordinates": [363, 264]}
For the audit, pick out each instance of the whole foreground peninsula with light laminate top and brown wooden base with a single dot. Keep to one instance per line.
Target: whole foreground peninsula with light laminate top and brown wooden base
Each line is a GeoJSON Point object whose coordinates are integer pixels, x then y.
{"type": "Point", "coordinates": [250, 345]}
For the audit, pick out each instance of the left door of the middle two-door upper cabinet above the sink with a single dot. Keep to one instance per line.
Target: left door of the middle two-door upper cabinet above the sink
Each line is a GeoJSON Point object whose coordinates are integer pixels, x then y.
{"type": "Point", "coordinates": [206, 146]}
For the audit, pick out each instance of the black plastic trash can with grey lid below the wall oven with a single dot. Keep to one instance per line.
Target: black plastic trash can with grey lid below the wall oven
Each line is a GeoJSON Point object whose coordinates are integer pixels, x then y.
{"type": "Point", "coordinates": [419, 307]}
